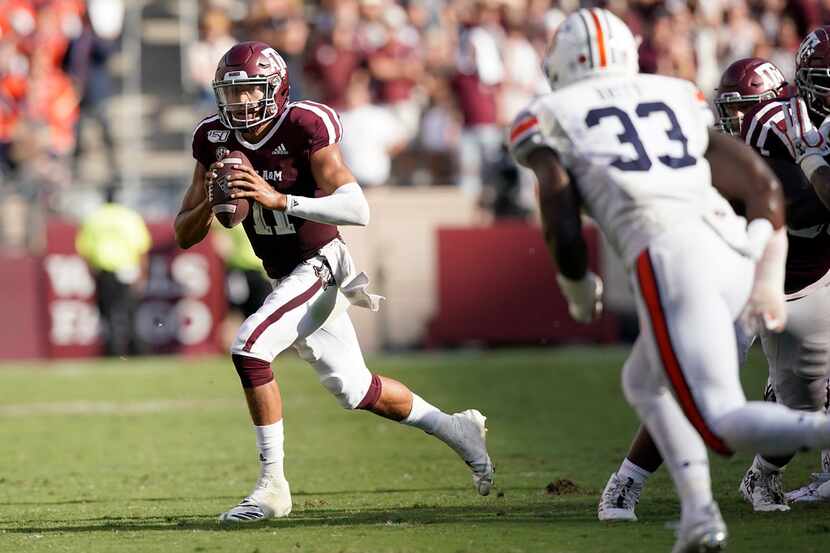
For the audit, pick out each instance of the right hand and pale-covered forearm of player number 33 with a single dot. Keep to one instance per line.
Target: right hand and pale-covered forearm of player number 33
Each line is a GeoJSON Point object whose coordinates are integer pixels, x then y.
{"type": "Point", "coordinates": [766, 308]}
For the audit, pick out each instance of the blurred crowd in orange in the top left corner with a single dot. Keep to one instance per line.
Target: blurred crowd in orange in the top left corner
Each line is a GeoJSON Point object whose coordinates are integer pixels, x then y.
{"type": "Point", "coordinates": [53, 78]}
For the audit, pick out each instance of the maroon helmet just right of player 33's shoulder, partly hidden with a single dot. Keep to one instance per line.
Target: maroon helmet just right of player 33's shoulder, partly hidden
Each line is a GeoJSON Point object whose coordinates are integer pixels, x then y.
{"type": "Point", "coordinates": [745, 83]}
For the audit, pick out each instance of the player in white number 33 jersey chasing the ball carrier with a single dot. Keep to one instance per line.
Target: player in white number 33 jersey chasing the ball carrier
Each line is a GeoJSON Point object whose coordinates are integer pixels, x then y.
{"type": "Point", "coordinates": [638, 153]}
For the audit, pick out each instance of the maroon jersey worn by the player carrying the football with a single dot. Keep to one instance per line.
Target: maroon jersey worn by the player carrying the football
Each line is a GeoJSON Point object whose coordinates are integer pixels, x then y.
{"type": "Point", "coordinates": [283, 158]}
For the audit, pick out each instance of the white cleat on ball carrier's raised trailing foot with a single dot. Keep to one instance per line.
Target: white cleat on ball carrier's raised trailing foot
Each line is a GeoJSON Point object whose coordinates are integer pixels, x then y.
{"type": "Point", "coordinates": [468, 440]}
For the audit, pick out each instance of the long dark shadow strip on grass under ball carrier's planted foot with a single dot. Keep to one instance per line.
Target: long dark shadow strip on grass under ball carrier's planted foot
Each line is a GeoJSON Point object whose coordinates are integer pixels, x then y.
{"type": "Point", "coordinates": [572, 512]}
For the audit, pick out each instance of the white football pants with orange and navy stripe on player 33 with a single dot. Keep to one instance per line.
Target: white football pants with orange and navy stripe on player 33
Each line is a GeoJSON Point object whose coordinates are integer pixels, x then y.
{"type": "Point", "coordinates": [682, 374]}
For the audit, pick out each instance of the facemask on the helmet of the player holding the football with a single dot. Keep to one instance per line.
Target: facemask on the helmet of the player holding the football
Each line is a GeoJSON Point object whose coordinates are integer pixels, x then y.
{"type": "Point", "coordinates": [244, 102]}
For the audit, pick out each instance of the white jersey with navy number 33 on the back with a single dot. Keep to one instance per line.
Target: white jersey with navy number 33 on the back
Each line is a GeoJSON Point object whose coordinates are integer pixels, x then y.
{"type": "Point", "coordinates": [634, 149]}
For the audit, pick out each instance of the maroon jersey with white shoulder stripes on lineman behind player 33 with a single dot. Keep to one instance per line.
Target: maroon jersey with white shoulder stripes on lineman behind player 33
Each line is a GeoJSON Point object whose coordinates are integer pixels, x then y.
{"type": "Point", "coordinates": [808, 258]}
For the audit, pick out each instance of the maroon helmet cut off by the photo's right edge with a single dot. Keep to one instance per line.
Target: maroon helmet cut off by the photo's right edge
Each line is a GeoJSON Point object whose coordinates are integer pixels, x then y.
{"type": "Point", "coordinates": [812, 71]}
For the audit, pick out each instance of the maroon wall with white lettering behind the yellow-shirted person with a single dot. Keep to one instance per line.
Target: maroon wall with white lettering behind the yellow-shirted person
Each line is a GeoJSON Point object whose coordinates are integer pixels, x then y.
{"type": "Point", "coordinates": [52, 299]}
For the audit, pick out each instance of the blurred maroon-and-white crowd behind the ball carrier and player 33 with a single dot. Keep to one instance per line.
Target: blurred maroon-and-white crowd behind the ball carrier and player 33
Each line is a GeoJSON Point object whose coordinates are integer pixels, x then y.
{"type": "Point", "coordinates": [425, 88]}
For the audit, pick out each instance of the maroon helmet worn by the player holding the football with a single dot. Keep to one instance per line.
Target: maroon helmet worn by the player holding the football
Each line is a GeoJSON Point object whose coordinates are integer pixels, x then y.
{"type": "Point", "coordinates": [251, 85]}
